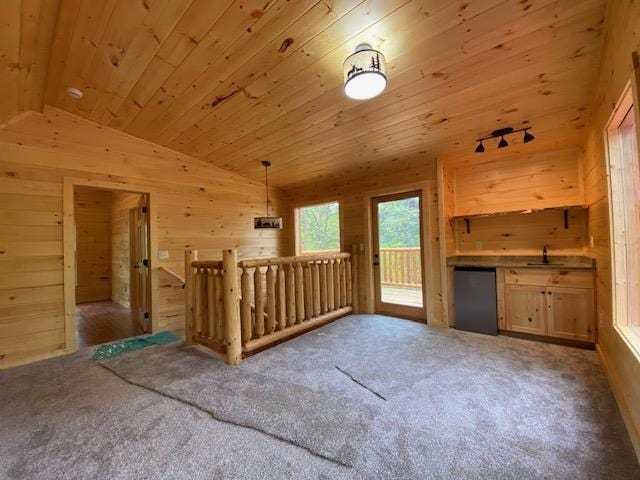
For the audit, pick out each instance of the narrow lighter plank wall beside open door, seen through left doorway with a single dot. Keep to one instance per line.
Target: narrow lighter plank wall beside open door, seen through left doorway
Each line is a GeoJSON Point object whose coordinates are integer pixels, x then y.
{"type": "Point", "coordinates": [121, 203]}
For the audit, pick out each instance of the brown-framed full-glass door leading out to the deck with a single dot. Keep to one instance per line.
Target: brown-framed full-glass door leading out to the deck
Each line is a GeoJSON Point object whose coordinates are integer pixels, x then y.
{"type": "Point", "coordinates": [398, 255]}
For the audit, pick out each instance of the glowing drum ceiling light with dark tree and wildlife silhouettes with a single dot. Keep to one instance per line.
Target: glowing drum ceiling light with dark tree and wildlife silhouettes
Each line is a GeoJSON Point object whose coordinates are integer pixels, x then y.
{"type": "Point", "coordinates": [365, 73]}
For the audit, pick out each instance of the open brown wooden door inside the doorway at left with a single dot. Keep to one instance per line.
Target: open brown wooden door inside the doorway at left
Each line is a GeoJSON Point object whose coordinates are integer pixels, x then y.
{"type": "Point", "coordinates": [139, 262]}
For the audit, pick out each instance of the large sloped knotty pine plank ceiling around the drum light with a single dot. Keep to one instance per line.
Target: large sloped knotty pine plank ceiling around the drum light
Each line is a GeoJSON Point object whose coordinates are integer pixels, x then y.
{"type": "Point", "coordinates": [236, 82]}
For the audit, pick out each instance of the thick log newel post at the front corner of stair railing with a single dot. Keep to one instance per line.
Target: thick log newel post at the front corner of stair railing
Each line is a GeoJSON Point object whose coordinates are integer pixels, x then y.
{"type": "Point", "coordinates": [231, 306]}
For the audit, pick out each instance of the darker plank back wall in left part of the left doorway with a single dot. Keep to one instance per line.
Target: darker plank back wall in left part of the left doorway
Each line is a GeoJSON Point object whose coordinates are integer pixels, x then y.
{"type": "Point", "coordinates": [93, 245]}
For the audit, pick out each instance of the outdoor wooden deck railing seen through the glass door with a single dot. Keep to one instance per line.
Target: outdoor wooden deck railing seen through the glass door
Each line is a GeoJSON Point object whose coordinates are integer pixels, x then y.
{"type": "Point", "coordinates": [401, 267]}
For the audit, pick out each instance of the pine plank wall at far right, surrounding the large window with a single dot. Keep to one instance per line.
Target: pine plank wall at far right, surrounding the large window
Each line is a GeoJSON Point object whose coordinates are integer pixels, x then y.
{"type": "Point", "coordinates": [623, 366]}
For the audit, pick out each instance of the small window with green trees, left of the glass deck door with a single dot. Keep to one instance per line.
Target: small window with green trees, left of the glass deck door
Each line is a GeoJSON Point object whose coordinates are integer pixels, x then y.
{"type": "Point", "coordinates": [318, 229]}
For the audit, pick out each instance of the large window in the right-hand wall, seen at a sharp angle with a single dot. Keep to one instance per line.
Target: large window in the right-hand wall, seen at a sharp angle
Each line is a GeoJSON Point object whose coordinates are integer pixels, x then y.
{"type": "Point", "coordinates": [624, 189]}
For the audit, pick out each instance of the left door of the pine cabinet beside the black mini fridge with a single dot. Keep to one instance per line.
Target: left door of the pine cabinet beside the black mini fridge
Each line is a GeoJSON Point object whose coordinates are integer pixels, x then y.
{"type": "Point", "coordinates": [525, 309]}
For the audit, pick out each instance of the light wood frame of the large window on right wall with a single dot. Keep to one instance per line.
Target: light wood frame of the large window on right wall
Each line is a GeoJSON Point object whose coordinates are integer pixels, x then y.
{"type": "Point", "coordinates": [628, 102]}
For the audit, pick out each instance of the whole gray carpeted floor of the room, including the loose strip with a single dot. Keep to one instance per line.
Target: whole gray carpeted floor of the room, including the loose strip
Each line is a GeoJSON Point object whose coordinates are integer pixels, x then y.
{"type": "Point", "coordinates": [365, 397]}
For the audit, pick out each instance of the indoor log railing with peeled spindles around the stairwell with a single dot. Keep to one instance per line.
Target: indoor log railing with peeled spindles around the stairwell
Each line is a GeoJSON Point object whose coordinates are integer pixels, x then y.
{"type": "Point", "coordinates": [272, 300]}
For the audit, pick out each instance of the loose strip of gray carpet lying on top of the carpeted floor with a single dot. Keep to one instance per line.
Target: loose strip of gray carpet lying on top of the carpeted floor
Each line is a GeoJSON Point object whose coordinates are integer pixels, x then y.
{"type": "Point", "coordinates": [331, 427]}
